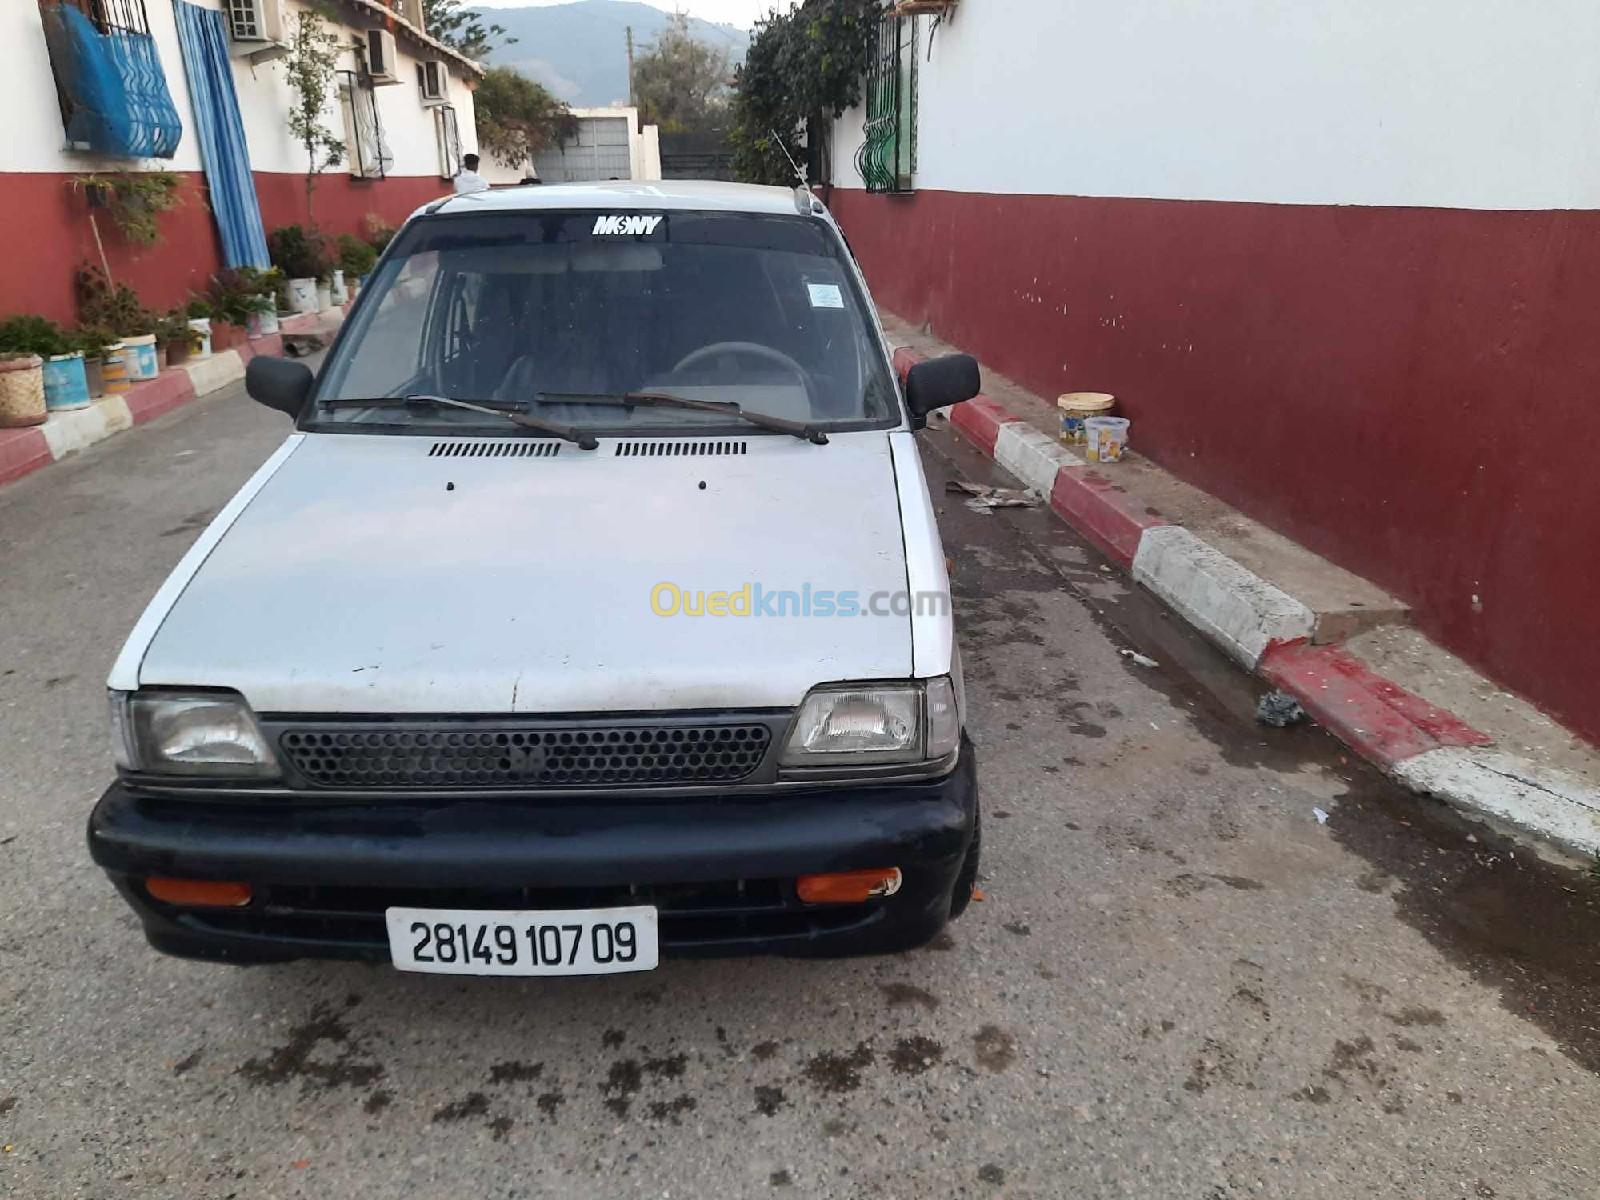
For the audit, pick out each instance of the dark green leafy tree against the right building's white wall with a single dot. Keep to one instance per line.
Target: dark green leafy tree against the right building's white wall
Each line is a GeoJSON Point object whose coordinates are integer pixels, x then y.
{"type": "Point", "coordinates": [804, 68]}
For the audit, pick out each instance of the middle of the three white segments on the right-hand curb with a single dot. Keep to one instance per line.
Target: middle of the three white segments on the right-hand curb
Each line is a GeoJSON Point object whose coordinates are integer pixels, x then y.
{"type": "Point", "coordinates": [1231, 606]}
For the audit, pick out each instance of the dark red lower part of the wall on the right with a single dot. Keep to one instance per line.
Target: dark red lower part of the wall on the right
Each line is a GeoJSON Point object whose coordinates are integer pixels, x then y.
{"type": "Point", "coordinates": [1412, 393]}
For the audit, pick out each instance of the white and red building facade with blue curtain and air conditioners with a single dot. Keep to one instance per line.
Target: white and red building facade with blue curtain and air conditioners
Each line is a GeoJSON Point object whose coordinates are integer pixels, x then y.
{"type": "Point", "coordinates": [401, 108]}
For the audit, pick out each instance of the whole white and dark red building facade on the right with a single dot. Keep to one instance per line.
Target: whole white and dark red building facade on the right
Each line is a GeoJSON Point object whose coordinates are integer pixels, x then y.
{"type": "Point", "coordinates": [1338, 262]}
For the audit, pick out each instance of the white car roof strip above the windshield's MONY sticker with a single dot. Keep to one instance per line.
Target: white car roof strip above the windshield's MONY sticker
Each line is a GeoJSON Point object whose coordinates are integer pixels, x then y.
{"type": "Point", "coordinates": [626, 196]}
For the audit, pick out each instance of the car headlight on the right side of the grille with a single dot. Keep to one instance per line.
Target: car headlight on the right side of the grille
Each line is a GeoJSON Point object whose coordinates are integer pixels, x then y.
{"type": "Point", "coordinates": [876, 724]}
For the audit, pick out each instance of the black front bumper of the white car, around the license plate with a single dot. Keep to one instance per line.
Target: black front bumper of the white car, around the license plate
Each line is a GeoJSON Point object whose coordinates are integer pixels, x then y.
{"type": "Point", "coordinates": [721, 870]}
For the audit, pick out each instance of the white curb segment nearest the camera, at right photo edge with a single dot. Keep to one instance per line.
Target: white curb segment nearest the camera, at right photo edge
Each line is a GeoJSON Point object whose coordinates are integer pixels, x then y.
{"type": "Point", "coordinates": [1513, 790]}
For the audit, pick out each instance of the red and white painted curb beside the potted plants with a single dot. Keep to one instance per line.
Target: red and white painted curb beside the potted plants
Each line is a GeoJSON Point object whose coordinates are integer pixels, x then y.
{"type": "Point", "coordinates": [28, 450]}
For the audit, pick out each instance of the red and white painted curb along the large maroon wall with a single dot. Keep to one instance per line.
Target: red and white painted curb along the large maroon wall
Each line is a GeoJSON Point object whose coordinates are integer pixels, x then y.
{"type": "Point", "coordinates": [1268, 633]}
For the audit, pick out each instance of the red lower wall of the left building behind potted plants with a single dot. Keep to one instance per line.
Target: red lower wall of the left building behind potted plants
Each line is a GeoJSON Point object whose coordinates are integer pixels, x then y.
{"type": "Point", "coordinates": [46, 234]}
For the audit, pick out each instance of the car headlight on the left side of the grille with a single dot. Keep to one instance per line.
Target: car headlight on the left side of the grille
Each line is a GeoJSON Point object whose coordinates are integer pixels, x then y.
{"type": "Point", "coordinates": [177, 734]}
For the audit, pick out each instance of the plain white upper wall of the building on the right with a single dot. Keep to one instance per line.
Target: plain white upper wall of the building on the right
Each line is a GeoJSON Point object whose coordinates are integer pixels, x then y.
{"type": "Point", "coordinates": [1433, 103]}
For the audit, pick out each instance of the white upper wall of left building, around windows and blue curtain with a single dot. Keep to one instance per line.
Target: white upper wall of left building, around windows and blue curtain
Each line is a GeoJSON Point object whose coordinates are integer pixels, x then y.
{"type": "Point", "coordinates": [36, 140]}
